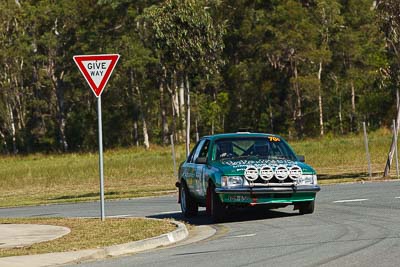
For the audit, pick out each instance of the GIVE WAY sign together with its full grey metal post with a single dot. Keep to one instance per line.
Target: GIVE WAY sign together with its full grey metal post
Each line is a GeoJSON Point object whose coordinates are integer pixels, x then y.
{"type": "Point", "coordinates": [97, 69]}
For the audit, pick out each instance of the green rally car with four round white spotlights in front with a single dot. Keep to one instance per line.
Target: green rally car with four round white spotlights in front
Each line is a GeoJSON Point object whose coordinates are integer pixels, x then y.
{"type": "Point", "coordinates": [245, 169]}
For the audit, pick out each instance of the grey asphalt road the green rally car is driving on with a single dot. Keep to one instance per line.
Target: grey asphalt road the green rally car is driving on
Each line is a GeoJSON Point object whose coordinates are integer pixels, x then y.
{"type": "Point", "coordinates": [354, 225]}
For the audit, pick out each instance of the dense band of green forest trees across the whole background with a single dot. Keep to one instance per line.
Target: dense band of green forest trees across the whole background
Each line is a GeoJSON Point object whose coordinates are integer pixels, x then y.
{"type": "Point", "coordinates": [294, 67]}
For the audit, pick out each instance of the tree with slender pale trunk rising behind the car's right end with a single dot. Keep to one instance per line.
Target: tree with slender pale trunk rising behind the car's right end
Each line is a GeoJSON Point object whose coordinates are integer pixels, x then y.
{"type": "Point", "coordinates": [293, 38]}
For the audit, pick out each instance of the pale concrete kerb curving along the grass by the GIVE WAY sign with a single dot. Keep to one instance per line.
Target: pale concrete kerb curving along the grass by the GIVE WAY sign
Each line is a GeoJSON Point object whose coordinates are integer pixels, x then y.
{"type": "Point", "coordinates": [60, 258]}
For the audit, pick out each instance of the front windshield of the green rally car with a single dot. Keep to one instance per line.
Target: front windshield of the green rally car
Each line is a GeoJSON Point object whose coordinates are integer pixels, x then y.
{"type": "Point", "coordinates": [261, 147]}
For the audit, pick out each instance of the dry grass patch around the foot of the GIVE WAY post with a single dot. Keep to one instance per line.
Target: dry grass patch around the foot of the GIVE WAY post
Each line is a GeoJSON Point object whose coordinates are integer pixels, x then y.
{"type": "Point", "coordinates": [90, 233]}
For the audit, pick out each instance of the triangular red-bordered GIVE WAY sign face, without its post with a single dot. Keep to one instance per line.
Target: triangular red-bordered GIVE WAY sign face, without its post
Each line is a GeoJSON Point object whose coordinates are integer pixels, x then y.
{"type": "Point", "coordinates": [96, 69]}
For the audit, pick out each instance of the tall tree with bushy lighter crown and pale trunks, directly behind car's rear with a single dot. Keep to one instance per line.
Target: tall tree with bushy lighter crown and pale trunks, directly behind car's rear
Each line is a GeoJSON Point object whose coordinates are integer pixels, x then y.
{"type": "Point", "coordinates": [188, 42]}
